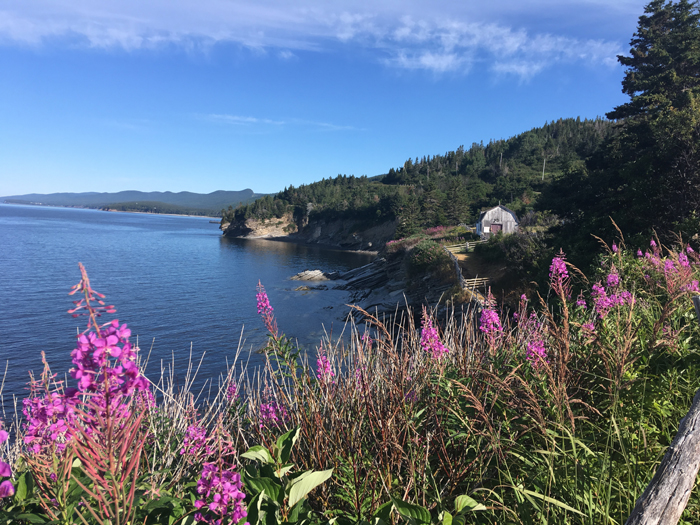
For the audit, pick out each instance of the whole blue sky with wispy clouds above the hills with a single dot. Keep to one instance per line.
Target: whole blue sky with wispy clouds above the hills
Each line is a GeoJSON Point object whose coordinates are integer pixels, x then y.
{"type": "Point", "coordinates": [173, 95]}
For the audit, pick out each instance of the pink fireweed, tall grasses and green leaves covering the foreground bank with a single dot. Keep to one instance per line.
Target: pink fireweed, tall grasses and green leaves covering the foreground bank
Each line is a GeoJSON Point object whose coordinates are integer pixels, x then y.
{"type": "Point", "coordinates": [557, 412]}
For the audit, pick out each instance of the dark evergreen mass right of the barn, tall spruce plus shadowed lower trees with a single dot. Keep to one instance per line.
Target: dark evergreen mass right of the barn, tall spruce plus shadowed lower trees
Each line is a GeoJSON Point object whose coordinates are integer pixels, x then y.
{"type": "Point", "coordinates": [646, 176]}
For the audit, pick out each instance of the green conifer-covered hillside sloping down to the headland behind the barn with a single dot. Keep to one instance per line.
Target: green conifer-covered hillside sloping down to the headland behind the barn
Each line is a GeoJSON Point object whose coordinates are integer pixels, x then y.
{"type": "Point", "coordinates": [443, 189]}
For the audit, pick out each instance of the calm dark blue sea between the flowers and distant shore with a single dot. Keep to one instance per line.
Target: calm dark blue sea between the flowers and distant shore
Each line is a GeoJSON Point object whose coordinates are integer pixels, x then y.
{"type": "Point", "coordinates": [175, 281]}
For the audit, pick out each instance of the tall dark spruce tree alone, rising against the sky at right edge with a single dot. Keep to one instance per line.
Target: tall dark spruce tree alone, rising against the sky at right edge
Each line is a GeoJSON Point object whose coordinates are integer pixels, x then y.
{"type": "Point", "coordinates": [655, 159]}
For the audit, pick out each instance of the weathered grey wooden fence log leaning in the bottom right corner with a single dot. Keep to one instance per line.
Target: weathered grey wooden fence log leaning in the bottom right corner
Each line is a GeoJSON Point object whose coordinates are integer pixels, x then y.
{"type": "Point", "coordinates": [666, 496]}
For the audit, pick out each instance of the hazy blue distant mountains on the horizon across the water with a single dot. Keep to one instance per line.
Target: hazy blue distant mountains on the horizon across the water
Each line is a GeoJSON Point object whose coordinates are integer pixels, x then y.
{"type": "Point", "coordinates": [154, 201]}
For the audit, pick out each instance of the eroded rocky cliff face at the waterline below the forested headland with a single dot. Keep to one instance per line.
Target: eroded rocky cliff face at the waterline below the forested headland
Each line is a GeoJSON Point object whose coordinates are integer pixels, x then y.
{"type": "Point", "coordinates": [346, 234]}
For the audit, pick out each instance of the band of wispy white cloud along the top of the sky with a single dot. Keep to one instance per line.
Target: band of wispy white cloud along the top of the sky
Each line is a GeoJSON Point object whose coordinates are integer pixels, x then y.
{"type": "Point", "coordinates": [441, 37]}
